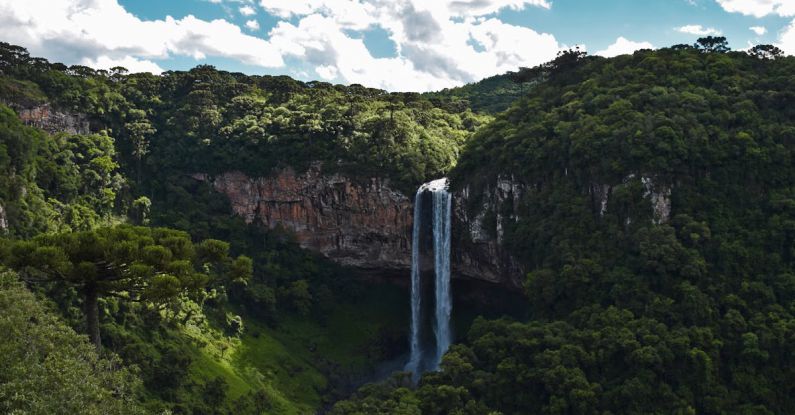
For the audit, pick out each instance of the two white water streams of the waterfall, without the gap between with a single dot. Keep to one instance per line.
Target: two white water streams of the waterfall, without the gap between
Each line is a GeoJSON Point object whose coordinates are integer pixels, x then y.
{"type": "Point", "coordinates": [441, 221]}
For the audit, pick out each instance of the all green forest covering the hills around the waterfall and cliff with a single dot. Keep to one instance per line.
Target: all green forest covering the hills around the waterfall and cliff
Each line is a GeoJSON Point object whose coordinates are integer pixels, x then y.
{"type": "Point", "coordinates": [192, 311]}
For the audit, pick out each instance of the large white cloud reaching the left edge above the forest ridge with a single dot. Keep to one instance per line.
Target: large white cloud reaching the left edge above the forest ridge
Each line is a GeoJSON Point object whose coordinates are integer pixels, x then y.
{"type": "Point", "coordinates": [75, 31]}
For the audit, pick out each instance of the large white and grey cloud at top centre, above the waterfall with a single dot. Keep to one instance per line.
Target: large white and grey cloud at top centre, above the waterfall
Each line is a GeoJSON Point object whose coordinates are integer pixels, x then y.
{"type": "Point", "coordinates": [434, 51]}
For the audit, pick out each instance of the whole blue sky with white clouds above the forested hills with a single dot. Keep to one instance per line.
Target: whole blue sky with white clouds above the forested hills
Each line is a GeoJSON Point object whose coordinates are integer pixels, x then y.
{"type": "Point", "coordinates": [398, 45]}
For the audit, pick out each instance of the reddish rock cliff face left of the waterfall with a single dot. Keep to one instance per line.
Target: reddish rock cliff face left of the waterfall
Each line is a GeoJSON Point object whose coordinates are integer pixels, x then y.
{"type": "Point", "coordinates": [362, 224]}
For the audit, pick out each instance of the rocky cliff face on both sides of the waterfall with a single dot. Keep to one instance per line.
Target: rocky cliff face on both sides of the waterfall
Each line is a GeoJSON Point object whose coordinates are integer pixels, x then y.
{"type": "Point", "coordinates": [366, 224]}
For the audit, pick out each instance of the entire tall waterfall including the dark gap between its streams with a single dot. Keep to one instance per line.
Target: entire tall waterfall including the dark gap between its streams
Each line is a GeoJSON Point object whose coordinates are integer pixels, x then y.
{"type": "Point", "coordinates": [425, 351]}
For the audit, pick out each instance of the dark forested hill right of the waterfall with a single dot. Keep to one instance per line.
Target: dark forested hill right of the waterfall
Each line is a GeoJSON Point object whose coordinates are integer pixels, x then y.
{"type": "Point", "coordinates": [636, 310]}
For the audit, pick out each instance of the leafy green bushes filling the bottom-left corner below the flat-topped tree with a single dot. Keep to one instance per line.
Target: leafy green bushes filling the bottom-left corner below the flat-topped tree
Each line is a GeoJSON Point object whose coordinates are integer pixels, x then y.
{"type": "Point", "coordinates": [46, 368]}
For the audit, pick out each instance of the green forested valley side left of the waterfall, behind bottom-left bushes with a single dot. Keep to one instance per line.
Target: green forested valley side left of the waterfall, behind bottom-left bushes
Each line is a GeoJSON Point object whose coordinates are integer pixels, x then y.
{"type": "Point", "coordinates": [292, 337]}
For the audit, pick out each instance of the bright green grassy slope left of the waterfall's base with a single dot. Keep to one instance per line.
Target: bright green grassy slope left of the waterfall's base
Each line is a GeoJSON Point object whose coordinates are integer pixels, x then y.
{"type": "Point", "coordinates": [285, 361]}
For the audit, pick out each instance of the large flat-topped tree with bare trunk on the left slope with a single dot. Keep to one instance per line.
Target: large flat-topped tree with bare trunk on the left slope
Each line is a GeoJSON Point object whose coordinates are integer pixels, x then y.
{"type": "Point", "coordinates": [134, 263]}
